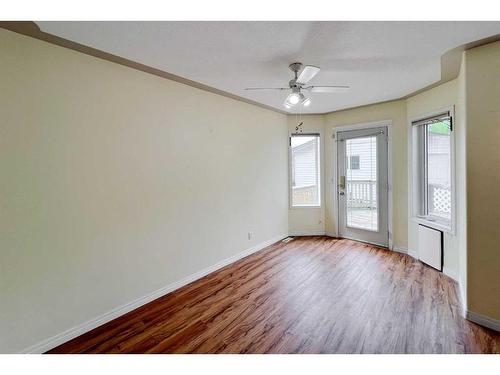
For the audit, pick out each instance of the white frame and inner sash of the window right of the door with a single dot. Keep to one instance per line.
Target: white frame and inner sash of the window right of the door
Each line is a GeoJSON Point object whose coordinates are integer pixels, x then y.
{"type": "Point", "coordinates": [418, 193]}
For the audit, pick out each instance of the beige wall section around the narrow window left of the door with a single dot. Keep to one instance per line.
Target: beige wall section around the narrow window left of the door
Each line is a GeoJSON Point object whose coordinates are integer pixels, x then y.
{"type": "Point", "coordinates": [310, 220]}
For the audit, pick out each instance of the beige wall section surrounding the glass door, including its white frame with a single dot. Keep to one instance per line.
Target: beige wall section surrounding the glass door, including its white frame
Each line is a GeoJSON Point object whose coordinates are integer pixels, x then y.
{"type": "Point", "coordinates": [396, 112]}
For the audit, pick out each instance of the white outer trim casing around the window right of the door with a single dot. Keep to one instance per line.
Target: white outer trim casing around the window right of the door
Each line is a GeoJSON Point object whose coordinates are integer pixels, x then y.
{"type": "Point", "coordinates": [412, 163]}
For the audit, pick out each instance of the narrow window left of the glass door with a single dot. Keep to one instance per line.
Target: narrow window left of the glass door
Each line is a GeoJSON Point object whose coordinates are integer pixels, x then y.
{"type": "Point", "coordinates": [304, 165]}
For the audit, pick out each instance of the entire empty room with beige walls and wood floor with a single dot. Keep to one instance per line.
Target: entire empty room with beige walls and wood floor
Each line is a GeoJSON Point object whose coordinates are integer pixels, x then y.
{"type": "Point", "coordinates": [258, 187]}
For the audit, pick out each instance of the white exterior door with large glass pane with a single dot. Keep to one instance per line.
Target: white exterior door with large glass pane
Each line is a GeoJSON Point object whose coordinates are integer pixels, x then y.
{"type": "Point", "coordinates": [362, 188]}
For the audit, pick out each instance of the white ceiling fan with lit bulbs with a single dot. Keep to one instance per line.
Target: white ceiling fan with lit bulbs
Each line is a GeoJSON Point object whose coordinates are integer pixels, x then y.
{"type": "Point", "coordinates": [298, 84]}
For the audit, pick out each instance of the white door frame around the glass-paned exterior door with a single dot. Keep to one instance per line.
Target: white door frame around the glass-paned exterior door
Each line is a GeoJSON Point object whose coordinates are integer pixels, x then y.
{"type": "Point", "coordinates": [358, 126]}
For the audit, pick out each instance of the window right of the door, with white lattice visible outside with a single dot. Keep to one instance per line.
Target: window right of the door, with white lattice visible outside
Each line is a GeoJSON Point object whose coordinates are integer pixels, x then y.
{"type": "Point", "coordinates": [432, 168]}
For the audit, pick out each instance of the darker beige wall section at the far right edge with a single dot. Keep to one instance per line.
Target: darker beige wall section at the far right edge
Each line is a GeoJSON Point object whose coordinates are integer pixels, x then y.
{"type": "Point", "coordinates": [482, 71]}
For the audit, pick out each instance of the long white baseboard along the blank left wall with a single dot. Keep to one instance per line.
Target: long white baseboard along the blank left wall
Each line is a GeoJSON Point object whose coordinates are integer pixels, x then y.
{"type": "Point", "coordinates": [80, 329]}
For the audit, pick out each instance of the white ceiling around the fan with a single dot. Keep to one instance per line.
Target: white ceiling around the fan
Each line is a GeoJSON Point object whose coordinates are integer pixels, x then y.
{"type": "Point", "coordinates": [379, 60]}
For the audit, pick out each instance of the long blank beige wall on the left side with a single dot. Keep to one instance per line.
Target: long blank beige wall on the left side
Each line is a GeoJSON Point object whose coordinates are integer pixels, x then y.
{"type": "Point", "coordinates": [115, 183]}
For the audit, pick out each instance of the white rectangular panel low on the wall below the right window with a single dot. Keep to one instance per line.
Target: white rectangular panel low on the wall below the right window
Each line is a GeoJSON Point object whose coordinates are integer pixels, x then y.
{"type": "Point", "coordinates": [430, 246]}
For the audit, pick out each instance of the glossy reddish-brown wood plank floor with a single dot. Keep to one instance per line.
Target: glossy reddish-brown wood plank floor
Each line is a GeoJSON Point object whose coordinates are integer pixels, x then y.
{"type": "Point", "coordinates": [311, 295]}
